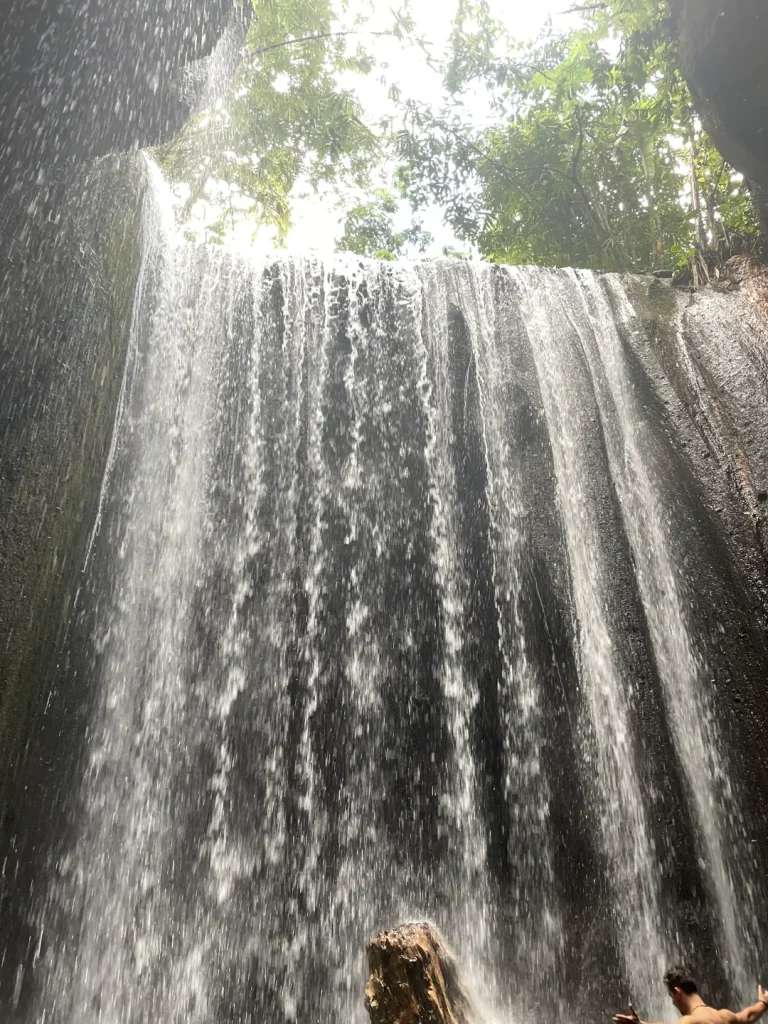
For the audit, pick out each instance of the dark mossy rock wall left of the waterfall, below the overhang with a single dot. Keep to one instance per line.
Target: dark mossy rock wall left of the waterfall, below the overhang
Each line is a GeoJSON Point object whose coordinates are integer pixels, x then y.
{"type": "Point", "coordinates": [65, 315]}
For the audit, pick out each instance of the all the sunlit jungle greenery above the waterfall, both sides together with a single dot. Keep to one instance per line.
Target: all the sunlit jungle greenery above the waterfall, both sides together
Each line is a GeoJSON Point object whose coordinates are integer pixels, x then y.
{"type": "Point", "coordinates": [590, 154]}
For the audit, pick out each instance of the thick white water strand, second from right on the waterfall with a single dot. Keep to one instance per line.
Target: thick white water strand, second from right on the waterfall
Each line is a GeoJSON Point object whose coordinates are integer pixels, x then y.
{"type": "Point", "coordinates": [607, 676]}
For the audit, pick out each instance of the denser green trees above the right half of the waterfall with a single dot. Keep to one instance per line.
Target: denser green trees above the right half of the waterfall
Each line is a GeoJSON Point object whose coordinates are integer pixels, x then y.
{"type": "Point", "coordinates": [593, 156]}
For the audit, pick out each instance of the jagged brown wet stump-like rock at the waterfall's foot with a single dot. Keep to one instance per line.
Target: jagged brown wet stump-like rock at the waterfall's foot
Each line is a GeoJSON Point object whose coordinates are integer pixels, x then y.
{"type": "Point", "coordinates": [414, 979]}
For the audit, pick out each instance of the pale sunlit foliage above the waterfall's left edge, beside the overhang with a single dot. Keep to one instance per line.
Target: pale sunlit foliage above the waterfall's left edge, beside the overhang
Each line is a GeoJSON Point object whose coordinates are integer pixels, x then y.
{"type": "Point", "coordinates": [287, 118]}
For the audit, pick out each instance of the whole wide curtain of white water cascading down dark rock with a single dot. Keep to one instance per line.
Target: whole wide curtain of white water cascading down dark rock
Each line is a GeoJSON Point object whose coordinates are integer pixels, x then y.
{"type": "Point", "coordinates": [396, 592]}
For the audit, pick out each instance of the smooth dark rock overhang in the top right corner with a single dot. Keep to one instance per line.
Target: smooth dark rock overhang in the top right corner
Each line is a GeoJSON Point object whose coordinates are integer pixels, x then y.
{"type": "Point", "coordinates": [722, 48]}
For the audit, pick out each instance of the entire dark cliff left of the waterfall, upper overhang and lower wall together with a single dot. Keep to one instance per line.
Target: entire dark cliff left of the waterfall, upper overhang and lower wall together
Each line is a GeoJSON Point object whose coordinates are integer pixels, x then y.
{"type": "Point", "coordinates": [78, 80]}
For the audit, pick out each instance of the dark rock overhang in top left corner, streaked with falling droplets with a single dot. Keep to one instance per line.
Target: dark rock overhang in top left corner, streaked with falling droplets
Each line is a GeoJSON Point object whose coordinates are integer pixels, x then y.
{"type": "Point", "coordinates": [82, 78]}
